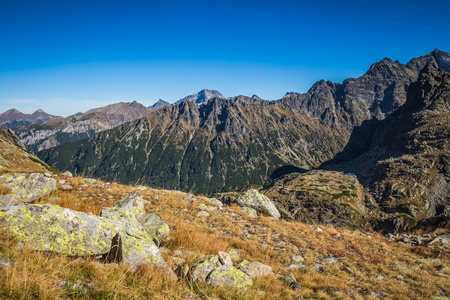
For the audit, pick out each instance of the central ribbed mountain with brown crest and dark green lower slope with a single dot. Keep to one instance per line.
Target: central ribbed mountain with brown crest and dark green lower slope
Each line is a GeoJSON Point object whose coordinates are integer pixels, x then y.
{"type": "Point", "coordinates": [222, 145]}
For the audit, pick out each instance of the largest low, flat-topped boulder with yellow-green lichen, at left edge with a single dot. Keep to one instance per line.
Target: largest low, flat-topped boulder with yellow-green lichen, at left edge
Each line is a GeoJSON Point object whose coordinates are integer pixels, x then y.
{"type": "Point", "coordinates": [53, 228]}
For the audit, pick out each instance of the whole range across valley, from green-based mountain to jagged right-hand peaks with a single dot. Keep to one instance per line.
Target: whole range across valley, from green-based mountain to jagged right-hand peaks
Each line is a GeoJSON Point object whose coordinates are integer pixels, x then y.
{"type": "Point", "coordinates": [228, 144]}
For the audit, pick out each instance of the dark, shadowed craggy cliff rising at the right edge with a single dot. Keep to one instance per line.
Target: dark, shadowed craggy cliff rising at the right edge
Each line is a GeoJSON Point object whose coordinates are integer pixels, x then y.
{"type": "Point", "coordinates": [404, 160]}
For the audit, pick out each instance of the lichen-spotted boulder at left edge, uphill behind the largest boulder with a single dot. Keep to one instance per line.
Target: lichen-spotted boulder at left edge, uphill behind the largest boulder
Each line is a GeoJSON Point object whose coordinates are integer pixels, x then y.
{"type": "Point", "coordinates": [25, 187]}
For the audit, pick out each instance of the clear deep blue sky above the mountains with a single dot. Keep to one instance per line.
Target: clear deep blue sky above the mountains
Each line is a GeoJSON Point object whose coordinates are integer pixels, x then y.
{"type": "Point", "coordinates": [69, 56]}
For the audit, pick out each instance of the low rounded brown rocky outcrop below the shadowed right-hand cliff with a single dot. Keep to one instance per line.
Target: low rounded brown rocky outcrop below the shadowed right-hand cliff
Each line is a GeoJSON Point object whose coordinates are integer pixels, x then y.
{"type": "Point", "coordinates": [322, 197]}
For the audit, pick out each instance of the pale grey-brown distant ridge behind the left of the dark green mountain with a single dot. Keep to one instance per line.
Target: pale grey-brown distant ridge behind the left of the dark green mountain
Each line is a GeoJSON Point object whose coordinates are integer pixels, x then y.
{"type": "Point", "coordinates": [54, 132]}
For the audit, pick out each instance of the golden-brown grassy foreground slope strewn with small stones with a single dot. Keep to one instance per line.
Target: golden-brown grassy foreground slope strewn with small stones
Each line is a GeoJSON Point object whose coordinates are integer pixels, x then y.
{"type": "Point", "coordinates": [328, 262]}
